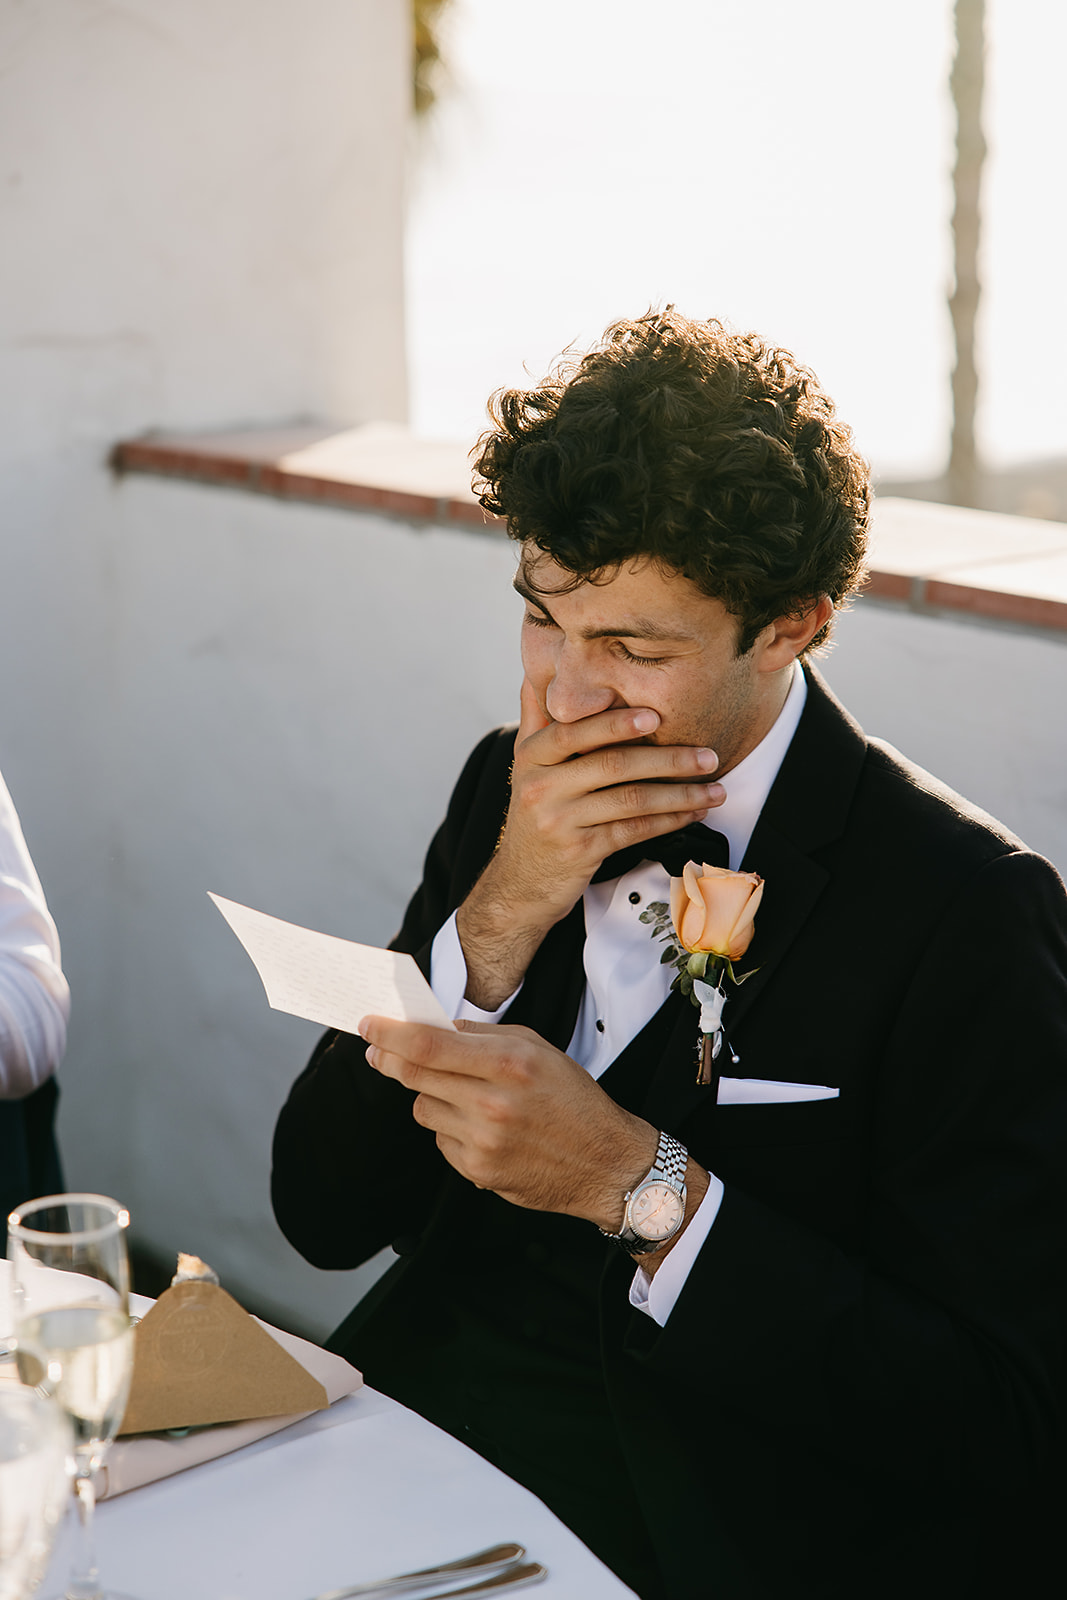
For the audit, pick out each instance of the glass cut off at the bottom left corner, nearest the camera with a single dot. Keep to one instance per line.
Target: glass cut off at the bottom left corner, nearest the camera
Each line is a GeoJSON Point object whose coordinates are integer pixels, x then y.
{"type": "Point", "coordinates": [36, 1444]}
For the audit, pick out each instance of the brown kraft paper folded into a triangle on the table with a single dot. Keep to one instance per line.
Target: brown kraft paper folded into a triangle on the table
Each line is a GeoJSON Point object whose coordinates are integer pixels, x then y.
{"type": "Point", "coordinates": [199, 1359]}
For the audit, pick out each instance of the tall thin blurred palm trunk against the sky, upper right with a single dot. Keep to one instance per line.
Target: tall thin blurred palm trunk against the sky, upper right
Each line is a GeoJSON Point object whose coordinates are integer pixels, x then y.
{"type": "Point", "coordinates": [969, 73]}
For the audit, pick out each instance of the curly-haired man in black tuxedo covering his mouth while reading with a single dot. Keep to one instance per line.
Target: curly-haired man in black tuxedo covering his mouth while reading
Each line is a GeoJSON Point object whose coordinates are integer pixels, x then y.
{"type": "Point", "coordinates": [821, 1353]}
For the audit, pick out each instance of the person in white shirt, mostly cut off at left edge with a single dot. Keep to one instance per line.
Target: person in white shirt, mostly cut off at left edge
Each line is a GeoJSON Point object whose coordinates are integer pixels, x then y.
{"type": "Point", "coordinates": [34, 1010]}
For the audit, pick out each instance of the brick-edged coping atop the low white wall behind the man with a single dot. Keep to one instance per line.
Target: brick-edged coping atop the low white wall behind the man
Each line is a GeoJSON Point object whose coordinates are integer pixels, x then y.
{"type": "Point", "coordinates": [941, 559]}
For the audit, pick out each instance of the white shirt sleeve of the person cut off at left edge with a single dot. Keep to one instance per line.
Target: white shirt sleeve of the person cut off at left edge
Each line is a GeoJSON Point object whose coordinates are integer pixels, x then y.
{"type": "Point", "coordinates": [34, 996]}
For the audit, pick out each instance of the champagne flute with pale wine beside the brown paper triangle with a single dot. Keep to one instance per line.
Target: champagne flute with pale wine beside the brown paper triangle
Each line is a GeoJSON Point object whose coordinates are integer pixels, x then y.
{"type": "Point", "coordinates": [74, 1338]}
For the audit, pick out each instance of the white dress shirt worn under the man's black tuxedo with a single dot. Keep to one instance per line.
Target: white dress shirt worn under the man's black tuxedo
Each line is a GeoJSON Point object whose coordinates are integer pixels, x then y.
{"type": "Point", "coordinates": [626, 982]}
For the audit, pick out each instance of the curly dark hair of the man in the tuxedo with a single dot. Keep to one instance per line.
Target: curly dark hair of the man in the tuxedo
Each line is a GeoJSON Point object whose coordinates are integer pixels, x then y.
{"type": "Point", "coordinates": [708, 452]}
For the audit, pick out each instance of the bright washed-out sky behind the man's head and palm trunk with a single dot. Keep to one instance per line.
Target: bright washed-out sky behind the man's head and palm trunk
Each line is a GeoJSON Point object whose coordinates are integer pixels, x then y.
{"type": "Point", "coordinates": [777, 164]}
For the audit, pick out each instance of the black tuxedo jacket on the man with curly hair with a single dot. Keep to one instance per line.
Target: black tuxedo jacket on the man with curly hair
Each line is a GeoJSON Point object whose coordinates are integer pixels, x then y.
{"type": "Point", "coordinates": [858, 1390]}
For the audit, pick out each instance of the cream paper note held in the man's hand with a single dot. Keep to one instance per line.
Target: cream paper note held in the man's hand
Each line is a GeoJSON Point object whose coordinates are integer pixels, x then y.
{"type": "Point", "coordinates": [327, 980]}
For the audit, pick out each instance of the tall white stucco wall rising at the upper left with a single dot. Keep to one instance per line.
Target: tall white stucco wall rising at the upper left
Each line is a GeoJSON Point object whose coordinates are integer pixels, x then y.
{"type": "Point", "coordinates": [201, 218]}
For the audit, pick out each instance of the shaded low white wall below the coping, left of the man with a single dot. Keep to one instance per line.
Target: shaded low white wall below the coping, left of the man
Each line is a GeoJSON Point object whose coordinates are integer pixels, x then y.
{"type": "Point", "coordinates": [290, 695]}
